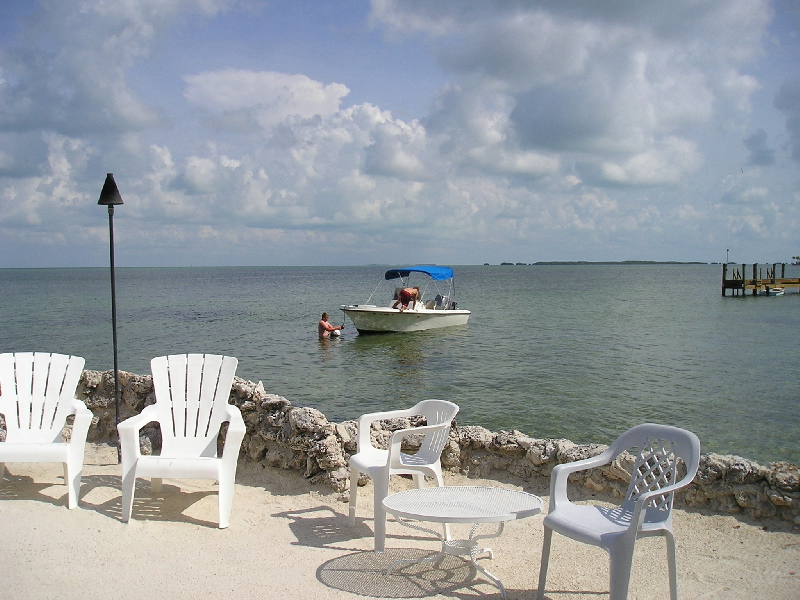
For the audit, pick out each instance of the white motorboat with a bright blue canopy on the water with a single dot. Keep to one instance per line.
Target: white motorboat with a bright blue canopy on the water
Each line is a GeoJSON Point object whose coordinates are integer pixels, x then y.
{"type": "Point", "coordinates": [435, 307]}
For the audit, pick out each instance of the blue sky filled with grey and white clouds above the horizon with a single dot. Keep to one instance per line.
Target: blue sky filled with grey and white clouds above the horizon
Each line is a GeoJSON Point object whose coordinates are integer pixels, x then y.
{"type": "Point", "coordinates": [350, 132]}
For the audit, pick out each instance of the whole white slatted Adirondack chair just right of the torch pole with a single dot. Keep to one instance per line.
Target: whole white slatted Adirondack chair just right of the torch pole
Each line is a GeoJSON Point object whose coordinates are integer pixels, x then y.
{"type": "Point", "coordinates": [191, 405]}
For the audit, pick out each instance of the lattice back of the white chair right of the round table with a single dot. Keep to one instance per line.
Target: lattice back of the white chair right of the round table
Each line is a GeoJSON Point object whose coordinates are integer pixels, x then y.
{"type": "Point", "coordinates": [662, 457]}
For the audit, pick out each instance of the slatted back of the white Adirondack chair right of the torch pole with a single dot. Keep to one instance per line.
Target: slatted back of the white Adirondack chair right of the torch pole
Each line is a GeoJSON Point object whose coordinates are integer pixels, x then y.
{"type": "Point", "coordinates": [192, 392]}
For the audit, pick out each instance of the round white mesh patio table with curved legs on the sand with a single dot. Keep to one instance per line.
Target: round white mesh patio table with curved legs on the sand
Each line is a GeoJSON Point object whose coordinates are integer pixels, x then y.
{"type": "Point", "coordinates": [461, 504]}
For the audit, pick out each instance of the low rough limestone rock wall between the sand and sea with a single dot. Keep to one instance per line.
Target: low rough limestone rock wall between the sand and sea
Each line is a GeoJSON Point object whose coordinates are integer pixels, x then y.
{"type": "Point", "coordinates": [303, 440]}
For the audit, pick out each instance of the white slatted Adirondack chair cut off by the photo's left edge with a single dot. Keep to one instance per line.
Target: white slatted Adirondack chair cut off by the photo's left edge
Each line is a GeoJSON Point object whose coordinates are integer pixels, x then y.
{"type": "Point", "coordinates": [37, 394]}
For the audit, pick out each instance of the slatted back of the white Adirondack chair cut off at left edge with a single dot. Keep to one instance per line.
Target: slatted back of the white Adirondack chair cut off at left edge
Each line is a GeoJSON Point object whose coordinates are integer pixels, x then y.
{"type": "Point", "coordinates": [36, 394]}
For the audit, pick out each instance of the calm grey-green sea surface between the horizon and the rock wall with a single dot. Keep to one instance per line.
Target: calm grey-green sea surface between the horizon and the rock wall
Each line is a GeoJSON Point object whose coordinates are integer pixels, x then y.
{"type": "Point", "coordinates": [574, 351]}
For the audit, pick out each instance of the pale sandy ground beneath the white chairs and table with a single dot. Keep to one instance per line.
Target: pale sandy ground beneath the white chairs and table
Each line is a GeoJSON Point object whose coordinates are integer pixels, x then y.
{"type": "Point", "coordinates": [289, 539]}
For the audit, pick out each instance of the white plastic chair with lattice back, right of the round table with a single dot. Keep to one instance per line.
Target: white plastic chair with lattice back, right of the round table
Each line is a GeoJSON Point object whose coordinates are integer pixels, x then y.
{"type": "Point", "coordinates": [645, 511]}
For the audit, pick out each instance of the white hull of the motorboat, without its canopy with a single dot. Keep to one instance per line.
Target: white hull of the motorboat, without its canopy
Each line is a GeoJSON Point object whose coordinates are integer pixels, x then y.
{"type": "Point", "coordinates": [381, 319]}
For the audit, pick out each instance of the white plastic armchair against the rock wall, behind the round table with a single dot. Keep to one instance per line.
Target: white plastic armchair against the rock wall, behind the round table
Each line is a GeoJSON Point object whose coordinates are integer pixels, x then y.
{"type": "Point", "coordinates": [381, 464]}
